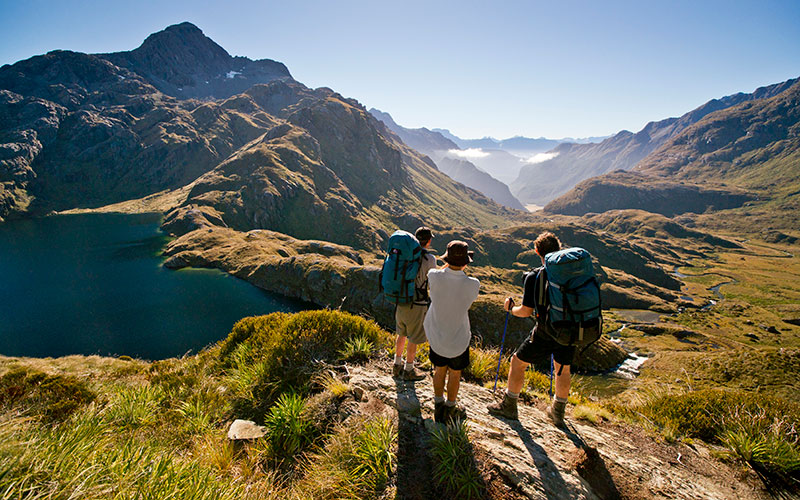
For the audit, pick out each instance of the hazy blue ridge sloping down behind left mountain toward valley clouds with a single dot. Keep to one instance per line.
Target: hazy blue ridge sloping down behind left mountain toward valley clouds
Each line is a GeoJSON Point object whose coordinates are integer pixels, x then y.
{"type": "Point", "coordinates": [441, 149]}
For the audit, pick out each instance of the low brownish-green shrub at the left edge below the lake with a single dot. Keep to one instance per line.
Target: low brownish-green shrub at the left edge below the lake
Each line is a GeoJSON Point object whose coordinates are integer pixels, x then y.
{"type": "Point", "coordinates": [53, 398]}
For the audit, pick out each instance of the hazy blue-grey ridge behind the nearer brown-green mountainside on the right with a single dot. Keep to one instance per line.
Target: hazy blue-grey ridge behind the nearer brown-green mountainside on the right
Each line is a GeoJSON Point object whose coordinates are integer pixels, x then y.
{"type": "Point", "coordinates": [545, 181]}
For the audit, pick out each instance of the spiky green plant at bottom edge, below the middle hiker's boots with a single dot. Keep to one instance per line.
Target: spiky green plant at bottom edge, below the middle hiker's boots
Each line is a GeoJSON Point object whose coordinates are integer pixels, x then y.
{"type": "Point", "coordinates": [454, 462]}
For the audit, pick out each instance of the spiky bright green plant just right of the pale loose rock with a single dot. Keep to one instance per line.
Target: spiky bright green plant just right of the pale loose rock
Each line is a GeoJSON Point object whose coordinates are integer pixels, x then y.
{"type": "Point", "coordinates": [287, 428]}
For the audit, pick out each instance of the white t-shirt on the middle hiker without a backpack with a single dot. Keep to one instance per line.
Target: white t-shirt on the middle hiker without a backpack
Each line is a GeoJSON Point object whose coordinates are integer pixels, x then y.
{"type": "Point", "coordinates": [447, 321]}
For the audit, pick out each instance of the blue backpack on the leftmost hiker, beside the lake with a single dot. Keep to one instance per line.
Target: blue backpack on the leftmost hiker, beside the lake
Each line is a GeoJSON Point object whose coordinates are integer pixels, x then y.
{"type": "Point", "coordinates": [400, 268]}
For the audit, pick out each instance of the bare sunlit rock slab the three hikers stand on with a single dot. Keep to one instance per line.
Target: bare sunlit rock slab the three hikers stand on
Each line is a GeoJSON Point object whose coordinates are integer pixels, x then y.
{"type": "Point", "coordinates": [533, 459]}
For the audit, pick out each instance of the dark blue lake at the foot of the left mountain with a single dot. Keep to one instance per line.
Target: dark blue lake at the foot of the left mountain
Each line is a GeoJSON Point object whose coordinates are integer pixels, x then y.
{"type": "Point", "coordinates": [95, 284]}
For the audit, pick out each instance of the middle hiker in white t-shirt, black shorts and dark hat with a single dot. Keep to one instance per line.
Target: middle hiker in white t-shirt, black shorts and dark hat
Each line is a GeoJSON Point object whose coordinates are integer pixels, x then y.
{"type": "Point", "coordinates": [447, 327]}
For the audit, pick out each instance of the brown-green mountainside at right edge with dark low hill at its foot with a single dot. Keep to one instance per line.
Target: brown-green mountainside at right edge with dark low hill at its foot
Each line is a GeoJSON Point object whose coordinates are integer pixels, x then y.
{"type": "Point", "coordinates": [745, 148]}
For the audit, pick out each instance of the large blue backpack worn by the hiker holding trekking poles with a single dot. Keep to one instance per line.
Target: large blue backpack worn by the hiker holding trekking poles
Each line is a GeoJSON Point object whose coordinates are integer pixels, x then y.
{"type": "Point", "coordinates": [568, 298]}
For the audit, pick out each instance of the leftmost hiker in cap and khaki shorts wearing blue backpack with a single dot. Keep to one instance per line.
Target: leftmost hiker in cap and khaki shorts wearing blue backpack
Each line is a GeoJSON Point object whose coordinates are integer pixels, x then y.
{"type": "Point", "coordinates": [404, 280]}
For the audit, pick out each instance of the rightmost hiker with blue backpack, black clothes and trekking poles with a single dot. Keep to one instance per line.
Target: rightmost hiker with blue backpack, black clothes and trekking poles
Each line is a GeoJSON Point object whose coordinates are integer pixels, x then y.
{"type": "Point", "coordinates": [564, 297]}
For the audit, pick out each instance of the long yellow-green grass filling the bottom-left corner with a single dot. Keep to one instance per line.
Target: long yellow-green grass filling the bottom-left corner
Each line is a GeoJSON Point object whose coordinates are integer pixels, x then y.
{"type": "Point", "coordinates": [88, 457]}
